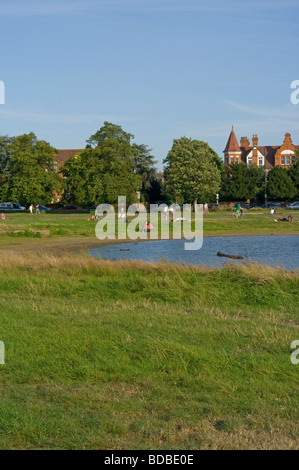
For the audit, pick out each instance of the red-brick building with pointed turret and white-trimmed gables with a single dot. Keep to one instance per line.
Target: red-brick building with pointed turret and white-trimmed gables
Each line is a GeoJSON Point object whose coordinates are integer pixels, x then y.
{"type": "Point", "coordinates": [266, 157]}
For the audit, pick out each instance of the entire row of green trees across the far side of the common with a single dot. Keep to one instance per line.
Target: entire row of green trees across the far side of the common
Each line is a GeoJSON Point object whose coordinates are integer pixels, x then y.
{"type": "Point", "coordinates": [112, 165]}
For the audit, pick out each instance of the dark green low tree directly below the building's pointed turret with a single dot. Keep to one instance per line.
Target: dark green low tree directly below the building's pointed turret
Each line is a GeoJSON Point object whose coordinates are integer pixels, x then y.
{"type": "Point", "coordinates": [241, 182]}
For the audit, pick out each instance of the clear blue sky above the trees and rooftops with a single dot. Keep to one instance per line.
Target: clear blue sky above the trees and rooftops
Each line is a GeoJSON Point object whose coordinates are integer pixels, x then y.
{"type": "Point", "coordinates": [159, 68]}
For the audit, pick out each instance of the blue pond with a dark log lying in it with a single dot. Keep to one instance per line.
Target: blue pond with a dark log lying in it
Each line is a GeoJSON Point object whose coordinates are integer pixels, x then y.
{"type": "Point", "coordinates": [272, 250]}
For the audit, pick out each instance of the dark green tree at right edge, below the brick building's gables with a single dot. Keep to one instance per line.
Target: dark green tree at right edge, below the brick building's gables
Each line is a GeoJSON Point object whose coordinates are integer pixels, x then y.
{"type": "Point", "coordinates": [280, 184]}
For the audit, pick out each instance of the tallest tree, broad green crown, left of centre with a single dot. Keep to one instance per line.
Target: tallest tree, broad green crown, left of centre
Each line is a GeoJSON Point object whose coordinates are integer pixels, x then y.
{"type": "Point", "coordinates": [104, 171]}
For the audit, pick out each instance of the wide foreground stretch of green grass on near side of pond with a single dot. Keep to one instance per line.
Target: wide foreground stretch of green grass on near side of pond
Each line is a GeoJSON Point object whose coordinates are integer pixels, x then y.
{"type": "Point", "coordinates": [133, 356]}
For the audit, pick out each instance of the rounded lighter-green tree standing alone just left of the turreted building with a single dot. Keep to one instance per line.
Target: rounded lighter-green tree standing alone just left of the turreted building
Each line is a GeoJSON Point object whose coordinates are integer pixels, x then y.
{"type": "Point", "coordinates": [192, 174]}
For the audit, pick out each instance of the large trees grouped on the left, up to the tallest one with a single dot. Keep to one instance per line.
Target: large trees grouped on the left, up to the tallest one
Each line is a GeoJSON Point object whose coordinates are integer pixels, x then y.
{"type": "Point", "coordinates": [111, 165]}
